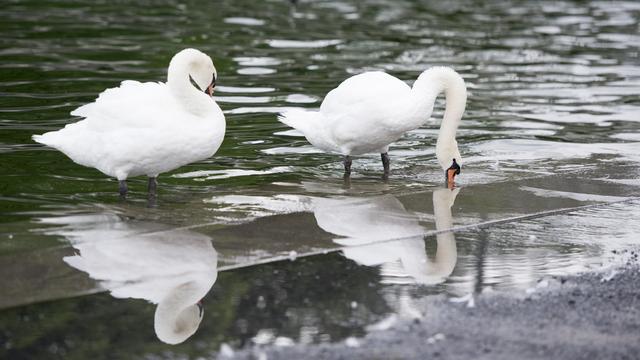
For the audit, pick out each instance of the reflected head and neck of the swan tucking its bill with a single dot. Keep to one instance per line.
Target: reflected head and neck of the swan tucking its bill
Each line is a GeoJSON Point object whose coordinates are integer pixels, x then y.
{"type": "Point", "coordinates": [177, 316]}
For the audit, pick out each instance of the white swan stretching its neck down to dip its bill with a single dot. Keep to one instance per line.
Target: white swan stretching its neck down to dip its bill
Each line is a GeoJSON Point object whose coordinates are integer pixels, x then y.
{"type": "Point", "coordinates": [369, 111]}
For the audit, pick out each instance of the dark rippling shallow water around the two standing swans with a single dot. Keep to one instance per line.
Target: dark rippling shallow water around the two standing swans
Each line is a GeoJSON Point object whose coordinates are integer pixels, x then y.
{"type": "Point", "coordinates": [552, 122]}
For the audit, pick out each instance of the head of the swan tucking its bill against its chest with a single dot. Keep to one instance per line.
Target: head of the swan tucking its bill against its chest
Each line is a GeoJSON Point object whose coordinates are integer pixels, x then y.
{"type": "Point", "coordinates": [198, 67]}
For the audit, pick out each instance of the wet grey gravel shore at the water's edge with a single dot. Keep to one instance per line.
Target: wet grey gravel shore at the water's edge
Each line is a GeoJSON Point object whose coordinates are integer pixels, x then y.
{"type": "Point", "coordinates": [591, 316]}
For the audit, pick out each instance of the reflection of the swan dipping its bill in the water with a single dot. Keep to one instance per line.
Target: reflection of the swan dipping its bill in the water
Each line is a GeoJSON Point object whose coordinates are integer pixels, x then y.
{"type": "Point", "coordinates": [369, 226]}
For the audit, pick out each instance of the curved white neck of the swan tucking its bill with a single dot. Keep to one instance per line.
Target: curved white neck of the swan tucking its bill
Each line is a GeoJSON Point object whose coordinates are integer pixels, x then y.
{"type": "Point", "coordinates": [192, 99]}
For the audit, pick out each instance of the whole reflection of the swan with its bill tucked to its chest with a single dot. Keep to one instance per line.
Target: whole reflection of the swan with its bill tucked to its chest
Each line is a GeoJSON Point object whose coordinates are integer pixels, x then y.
{"type": "Point", "coordinates": [174, 269]}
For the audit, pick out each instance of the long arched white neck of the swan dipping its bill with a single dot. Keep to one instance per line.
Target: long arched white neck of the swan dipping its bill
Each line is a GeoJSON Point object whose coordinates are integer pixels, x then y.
{"type": "Point", "coordinates": [425, 90]}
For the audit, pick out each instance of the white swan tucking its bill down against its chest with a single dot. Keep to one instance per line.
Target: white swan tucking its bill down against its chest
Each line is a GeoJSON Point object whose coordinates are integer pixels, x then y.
{"type": "Point", "coordinates": [147, 128]}
